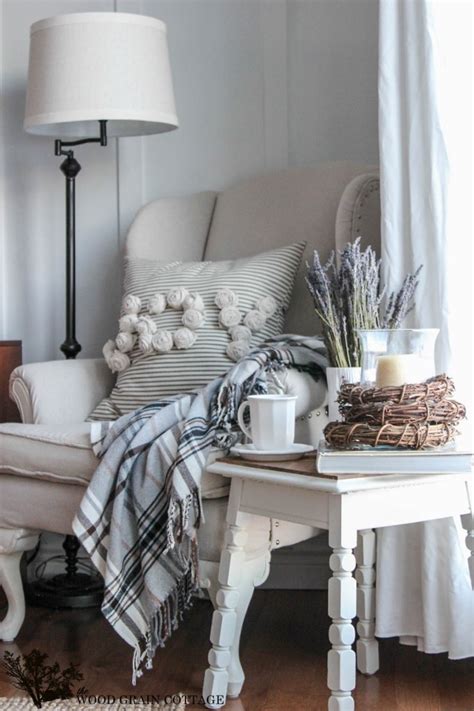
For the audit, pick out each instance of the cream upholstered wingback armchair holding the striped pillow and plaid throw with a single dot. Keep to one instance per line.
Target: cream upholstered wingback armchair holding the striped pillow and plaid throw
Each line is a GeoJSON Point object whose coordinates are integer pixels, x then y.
{"type": "Point", "coordinates": [46, 462]}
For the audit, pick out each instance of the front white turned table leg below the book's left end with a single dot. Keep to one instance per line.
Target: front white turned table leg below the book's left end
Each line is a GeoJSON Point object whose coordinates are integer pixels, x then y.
{"type": "Point", "coordinates": [342, 592]}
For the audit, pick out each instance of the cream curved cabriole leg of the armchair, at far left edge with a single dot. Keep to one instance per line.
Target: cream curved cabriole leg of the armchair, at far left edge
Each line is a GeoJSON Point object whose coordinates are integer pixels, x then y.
{"type": "Point", "coordinates": [13, 543]}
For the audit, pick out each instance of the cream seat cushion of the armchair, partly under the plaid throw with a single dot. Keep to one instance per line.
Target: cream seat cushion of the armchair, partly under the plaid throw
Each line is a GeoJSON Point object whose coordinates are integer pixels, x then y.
{"type": "Point", "coordinates": [63, 454]}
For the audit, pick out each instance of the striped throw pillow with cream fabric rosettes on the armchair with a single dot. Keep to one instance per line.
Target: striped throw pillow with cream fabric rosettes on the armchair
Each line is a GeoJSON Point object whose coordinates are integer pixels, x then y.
{"type": "Point", "coordinates": [151, 376]}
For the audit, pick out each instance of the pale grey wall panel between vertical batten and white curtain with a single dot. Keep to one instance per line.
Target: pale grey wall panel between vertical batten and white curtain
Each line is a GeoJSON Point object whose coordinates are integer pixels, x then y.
{"type": "Point", "coordinates": [332, 80]}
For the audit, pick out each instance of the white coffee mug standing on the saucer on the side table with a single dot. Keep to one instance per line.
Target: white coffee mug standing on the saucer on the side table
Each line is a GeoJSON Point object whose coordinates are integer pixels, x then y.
{"type": "Point", "coordinates": [272, 421]}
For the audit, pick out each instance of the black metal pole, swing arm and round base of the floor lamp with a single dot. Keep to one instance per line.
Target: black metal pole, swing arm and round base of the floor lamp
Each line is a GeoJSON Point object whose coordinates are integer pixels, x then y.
{"type": "Point", "coordinates": [71, 589]}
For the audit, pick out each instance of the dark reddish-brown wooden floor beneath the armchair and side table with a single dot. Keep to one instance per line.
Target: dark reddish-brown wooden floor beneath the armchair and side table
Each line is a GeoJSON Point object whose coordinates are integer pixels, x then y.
{"type": "Point", "coordinates": [284, 649]}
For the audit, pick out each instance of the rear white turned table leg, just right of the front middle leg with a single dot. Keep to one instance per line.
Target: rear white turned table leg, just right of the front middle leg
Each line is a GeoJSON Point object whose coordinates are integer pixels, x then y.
{"type": "Point", "coordinates": [367, 646]}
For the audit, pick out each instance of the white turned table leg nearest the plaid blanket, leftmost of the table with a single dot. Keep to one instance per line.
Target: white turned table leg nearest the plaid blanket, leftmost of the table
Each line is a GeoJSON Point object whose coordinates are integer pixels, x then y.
{"type": "Point", "coordinates": [224, 618]}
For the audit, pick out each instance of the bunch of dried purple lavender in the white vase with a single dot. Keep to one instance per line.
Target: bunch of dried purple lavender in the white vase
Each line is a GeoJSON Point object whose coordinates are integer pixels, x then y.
{"type": "Point", "coordinates": [348, 296]}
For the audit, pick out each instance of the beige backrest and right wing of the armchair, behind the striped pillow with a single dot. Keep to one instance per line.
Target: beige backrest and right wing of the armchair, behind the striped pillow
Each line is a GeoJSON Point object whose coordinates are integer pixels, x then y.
{"type": "Point", "coordinates": [293, 205]}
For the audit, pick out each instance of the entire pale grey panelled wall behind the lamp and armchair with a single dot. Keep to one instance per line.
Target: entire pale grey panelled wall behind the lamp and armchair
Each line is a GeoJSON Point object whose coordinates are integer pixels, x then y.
{"type": "Point", "coordinates": [260, 84]}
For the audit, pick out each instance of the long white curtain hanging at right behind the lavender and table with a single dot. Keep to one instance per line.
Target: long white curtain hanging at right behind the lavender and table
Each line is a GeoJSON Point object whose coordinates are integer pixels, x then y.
{"type": "Point", "coordinates": [424, 592]}
